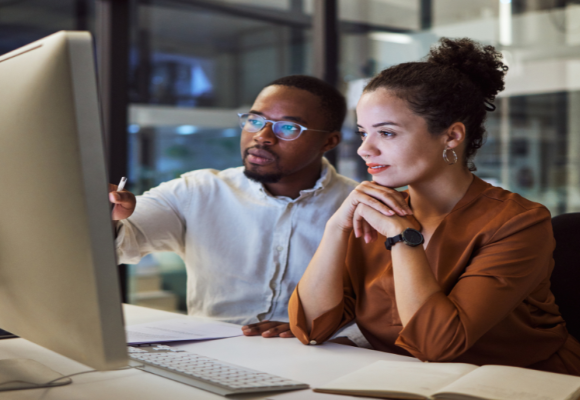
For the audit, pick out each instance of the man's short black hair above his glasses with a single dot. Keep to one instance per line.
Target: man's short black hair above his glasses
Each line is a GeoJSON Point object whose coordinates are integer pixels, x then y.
{"type": "Point", "coordinates": [332, 101]}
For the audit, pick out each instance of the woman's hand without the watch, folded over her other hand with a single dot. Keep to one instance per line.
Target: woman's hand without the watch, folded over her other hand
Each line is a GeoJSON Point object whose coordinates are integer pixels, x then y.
{"type": "Point", "coordinates": [383, 200]}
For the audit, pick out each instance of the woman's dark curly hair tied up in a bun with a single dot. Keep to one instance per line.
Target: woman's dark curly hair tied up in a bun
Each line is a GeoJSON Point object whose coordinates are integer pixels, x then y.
{"type": "Point", "coordinates": [457, 83]}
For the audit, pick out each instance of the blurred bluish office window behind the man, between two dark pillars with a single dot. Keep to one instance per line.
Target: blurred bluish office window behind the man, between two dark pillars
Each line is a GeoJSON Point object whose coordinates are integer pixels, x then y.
{"type": "Point", "coordinates": [192, 68]}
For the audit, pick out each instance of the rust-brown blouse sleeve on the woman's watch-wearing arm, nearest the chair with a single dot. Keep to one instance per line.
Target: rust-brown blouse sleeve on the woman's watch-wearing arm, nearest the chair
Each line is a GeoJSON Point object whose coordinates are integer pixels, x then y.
{"type": "Point", "coordinates": [501, 275]}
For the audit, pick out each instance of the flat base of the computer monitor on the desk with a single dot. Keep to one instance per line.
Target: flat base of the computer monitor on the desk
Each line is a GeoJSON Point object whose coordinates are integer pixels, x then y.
{"type": "Point", "coordinates": [21, 373]}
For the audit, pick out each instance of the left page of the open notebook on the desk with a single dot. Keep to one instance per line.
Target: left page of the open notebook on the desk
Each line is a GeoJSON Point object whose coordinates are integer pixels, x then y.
{"type": "Point", "coordinates": [400, 377]}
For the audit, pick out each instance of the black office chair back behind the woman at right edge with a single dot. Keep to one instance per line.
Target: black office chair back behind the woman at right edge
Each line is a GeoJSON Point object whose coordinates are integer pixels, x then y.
{"type": "Point", "coordinates": [566, 275]}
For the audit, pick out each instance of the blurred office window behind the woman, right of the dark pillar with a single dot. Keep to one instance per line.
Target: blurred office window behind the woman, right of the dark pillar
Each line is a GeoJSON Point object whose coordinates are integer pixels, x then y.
{"type": "Point", "coordinates": [533, 145]}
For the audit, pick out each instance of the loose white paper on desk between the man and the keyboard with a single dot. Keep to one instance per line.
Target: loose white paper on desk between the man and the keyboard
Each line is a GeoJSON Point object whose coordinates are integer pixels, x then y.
{"type": "Point", "coordinates": [174, 330]}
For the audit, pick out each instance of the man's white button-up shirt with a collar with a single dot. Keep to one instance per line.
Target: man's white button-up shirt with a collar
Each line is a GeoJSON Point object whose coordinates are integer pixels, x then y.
{"type": "Point", "coordinates": [244, 249]}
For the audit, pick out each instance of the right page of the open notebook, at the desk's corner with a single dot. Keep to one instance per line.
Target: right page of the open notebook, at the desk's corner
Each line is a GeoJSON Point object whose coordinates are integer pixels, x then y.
{"type": "Point", "coordinates": [511, 383]}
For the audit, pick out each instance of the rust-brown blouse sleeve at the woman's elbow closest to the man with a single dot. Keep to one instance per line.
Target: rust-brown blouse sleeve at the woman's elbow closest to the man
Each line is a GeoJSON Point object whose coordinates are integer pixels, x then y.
{"type": "Point", "coordinates": [325, 325]}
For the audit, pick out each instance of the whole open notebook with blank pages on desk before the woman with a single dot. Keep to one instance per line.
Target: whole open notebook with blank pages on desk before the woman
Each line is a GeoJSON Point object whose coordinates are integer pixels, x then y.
{"type": "Point", "coordinates": [453, 381]}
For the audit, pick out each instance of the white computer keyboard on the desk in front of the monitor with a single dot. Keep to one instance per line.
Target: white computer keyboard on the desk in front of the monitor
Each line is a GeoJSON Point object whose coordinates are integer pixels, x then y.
{"type": "Point", "coordinates": [206, 373]}
